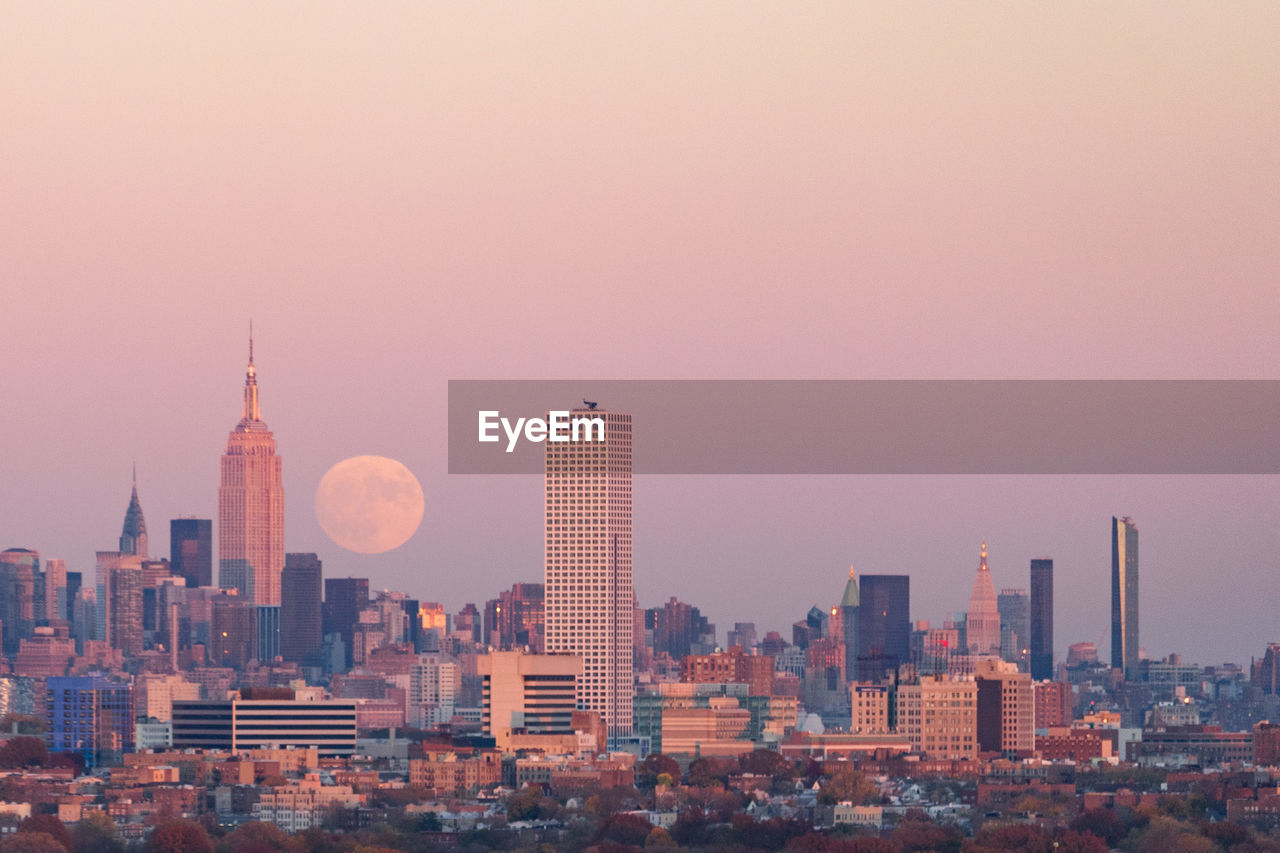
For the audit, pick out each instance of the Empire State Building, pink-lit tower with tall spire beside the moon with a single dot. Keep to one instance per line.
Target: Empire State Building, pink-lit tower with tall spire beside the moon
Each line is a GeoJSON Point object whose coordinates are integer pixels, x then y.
{"type": "Point", "coordinates": [252, 518]}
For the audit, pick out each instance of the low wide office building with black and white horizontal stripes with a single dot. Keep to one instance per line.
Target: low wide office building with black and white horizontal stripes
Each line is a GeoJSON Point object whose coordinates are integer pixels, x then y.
{"type": "Point", "coordinates": [267, 718]}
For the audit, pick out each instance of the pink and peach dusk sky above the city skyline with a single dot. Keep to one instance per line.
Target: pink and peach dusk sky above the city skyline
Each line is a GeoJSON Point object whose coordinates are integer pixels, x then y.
{"type": "Point", "coordinates": [406, 194]}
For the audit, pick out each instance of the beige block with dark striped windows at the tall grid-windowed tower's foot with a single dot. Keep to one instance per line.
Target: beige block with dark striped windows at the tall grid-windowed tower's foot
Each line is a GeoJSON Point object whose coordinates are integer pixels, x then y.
{"type": "Point", "coordinates": [528, 695]}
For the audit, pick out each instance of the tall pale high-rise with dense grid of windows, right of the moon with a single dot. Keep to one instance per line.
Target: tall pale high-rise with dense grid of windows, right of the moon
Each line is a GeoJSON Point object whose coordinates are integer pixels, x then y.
{"type": "Point", "coordinates": [588, 563]}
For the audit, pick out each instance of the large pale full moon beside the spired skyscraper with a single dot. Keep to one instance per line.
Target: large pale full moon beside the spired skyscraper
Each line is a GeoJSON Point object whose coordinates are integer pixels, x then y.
{"type": "Point", "coordinates": [369, 504]}
